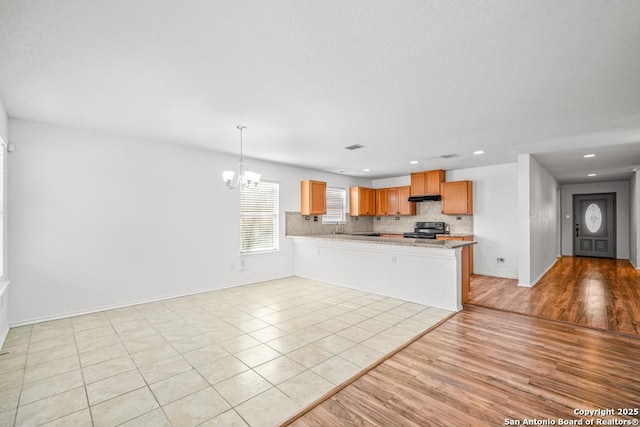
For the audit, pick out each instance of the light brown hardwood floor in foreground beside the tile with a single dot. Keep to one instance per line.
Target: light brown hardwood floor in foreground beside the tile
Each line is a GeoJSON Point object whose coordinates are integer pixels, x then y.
{"type": "Point", "coordinates": [483, 367]}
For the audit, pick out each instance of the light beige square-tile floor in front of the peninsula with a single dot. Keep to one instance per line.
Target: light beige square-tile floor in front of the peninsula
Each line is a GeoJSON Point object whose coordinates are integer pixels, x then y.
{"type": "Point", "coordinates": [250, 355]}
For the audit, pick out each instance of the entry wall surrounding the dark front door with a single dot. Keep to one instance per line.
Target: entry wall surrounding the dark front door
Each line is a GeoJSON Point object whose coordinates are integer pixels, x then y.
{"type": "Point", "coordinates": [621, 188]}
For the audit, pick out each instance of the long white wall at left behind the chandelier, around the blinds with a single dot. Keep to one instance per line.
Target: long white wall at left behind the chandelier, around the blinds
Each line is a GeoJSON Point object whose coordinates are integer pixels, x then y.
{"type": "Point", "coordinates": [101, 221]}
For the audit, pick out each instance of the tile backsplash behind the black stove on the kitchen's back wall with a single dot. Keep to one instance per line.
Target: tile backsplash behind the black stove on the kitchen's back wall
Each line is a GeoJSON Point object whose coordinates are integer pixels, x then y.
{"type": "Point", "coordinates": [425, 211]}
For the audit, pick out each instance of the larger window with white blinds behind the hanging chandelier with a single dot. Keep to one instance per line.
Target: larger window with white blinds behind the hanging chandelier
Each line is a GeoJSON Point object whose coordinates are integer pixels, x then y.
{"type": "Point", "coordinates": [259, 218]}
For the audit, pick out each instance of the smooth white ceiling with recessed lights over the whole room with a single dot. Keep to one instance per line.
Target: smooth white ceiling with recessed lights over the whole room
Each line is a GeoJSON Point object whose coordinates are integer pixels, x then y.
{"type": "Point", "coordinates": [409, 80]}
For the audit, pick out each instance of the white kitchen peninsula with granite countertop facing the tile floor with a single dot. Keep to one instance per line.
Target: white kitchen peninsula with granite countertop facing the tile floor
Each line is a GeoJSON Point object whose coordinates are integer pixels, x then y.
{"type": "Point", "coordinates": [424, 271]}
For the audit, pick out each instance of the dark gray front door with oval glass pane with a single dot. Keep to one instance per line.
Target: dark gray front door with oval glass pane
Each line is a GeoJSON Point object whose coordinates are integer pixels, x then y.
{"type": "Point", "coordinates": [595, 225]}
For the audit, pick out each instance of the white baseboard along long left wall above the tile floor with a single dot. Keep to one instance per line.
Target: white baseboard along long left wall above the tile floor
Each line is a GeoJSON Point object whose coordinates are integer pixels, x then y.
{"type": "Point", "coordinates": [137, 302]}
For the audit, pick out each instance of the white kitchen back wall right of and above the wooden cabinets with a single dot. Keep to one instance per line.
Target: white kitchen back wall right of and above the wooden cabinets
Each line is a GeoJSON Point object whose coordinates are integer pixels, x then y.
{"type": "Point", "coordinates": [495, 220]}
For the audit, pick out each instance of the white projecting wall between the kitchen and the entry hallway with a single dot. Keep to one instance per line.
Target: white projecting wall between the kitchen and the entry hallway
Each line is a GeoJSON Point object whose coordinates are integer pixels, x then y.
{"type": "Point", "coordinates": [538, 210]}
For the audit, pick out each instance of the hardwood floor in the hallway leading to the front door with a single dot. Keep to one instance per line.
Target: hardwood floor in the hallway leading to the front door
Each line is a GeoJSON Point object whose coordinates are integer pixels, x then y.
{"type": "Point", "coordinates": [594, 292]}
